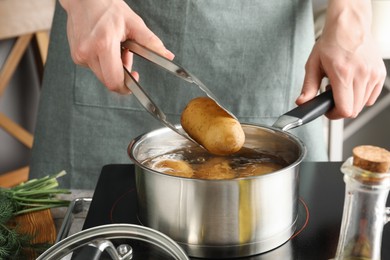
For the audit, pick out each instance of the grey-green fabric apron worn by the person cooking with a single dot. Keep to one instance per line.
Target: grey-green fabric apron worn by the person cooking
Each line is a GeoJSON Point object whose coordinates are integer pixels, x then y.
{"type": "Point", "coordinates": [251, 54]}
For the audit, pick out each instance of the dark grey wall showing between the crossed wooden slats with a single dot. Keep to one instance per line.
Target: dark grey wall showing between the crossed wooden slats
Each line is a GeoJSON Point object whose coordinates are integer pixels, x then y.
{"type": "Point", "coordinates": [18, 102]}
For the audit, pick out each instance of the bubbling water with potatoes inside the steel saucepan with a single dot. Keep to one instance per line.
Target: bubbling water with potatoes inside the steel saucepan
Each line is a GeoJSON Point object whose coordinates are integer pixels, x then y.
{"type": "Point", "coordinates": [198, 163]}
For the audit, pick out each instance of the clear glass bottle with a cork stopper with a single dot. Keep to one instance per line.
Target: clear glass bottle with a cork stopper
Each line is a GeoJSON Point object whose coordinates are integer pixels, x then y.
{"type": "Point", "coordinates": [367, 185]}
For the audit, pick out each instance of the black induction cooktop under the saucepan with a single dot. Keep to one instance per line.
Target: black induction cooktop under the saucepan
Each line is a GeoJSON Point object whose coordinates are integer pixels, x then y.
{"type": "Point", "coordinates": [319, 217]}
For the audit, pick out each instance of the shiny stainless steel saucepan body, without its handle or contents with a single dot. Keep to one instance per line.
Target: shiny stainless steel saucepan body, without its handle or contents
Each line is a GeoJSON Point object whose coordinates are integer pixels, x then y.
{"type": "Point", "coordinates": [220, 218]}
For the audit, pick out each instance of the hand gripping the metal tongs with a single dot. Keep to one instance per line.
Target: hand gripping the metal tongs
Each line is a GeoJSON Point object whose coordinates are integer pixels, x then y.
{"type": "Point", "coordinates": [95, 30]}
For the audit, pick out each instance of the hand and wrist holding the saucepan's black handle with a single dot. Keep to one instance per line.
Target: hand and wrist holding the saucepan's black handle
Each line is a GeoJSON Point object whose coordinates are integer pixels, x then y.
{"type": "Point", "coordinates": [348, 56]}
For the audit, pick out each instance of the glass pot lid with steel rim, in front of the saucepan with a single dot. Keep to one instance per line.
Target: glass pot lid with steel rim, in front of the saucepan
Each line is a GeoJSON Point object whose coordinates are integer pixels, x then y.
{"type": "Point", "coordinates": [116, 241]}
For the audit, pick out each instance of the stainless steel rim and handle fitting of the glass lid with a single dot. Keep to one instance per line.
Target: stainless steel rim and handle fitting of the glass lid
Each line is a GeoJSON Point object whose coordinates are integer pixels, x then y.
{"type": "Point", "coordinates": [113, 231]}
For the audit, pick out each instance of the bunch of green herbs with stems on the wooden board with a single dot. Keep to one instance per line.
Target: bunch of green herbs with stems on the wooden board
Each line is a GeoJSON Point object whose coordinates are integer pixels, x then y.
{"type": "Point", "coordinates": [33, 195]}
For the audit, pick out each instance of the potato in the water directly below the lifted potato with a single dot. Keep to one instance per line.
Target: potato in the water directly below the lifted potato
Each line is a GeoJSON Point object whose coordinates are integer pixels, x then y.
{"type": "Point", "coordinates": [216, 168]}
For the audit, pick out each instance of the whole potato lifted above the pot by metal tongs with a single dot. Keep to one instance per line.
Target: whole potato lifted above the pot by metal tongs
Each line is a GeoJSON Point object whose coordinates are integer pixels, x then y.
{"type": "Point", "coordinates": [212, 127]}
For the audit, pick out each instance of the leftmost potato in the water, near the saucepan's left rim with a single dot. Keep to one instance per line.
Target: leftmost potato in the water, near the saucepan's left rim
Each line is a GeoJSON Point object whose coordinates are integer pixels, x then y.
{"type": "Point", "coordinates": [174, 167]}
